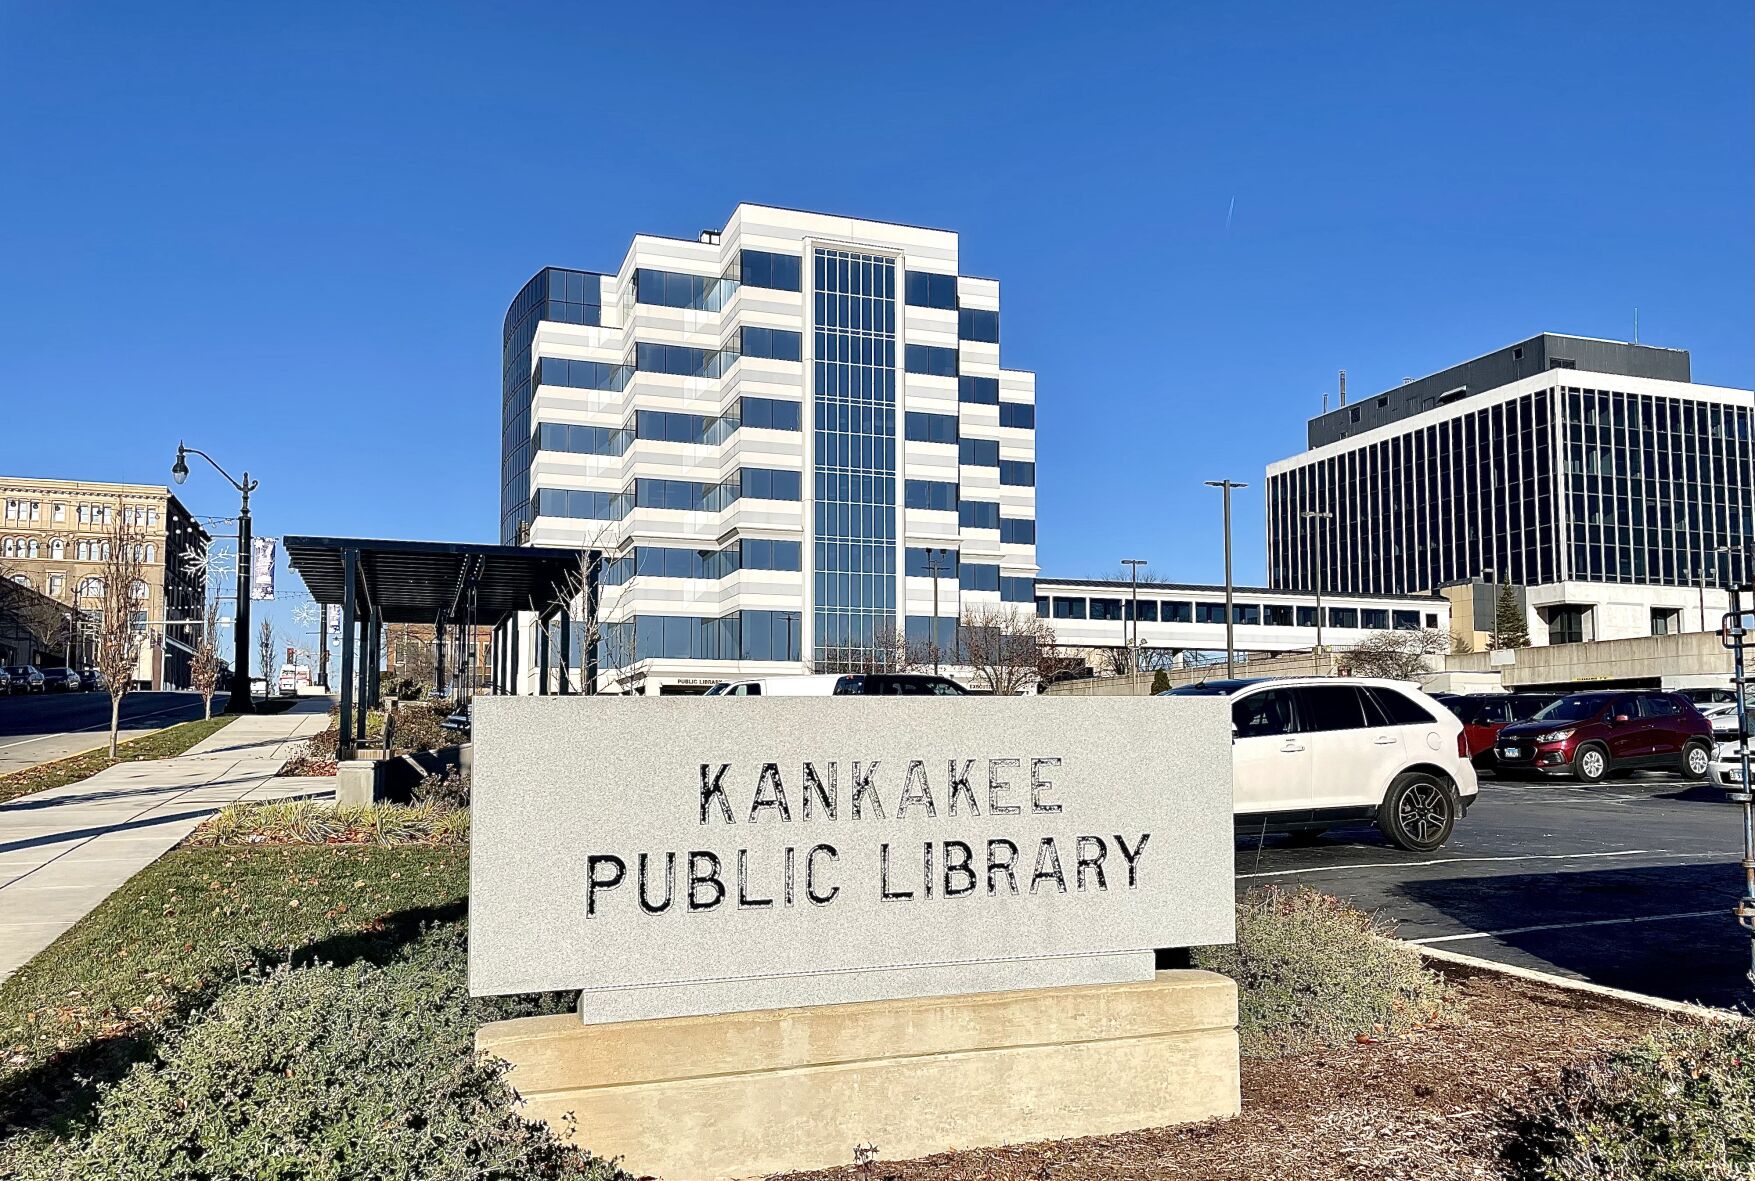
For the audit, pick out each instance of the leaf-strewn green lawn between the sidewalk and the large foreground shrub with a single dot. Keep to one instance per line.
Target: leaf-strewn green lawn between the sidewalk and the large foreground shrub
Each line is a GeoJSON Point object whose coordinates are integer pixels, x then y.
{"type": "Point", "coordinates": [190, 926]}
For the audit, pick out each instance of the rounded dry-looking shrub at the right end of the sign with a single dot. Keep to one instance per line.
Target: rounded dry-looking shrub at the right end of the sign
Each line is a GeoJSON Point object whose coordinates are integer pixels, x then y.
{"type": "Point", "coordinates": [1314, 971]}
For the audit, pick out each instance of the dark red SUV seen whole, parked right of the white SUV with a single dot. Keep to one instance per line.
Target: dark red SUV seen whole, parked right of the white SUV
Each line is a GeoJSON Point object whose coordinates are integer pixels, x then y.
{"type": "Point", "coordinates": [1589, 736]}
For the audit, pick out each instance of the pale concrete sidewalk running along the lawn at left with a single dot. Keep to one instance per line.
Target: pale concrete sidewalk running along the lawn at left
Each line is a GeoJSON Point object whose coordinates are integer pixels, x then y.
{"type": "Point", "coordinates": [66, 850]}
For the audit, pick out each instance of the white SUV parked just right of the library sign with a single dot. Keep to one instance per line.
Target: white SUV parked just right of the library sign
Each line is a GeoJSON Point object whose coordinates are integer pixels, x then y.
{"type": "Point", "coordinates": [1312, 754]}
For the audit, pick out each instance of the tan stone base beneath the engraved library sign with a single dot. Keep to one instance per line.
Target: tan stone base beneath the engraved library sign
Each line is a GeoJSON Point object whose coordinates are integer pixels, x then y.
{"type": "Point", "coordinates": [749, 1094]}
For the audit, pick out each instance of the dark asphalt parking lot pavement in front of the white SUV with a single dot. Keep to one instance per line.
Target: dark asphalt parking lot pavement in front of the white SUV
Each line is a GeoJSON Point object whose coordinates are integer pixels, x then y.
{"type": "Point", "coordinates": [1628, 884]}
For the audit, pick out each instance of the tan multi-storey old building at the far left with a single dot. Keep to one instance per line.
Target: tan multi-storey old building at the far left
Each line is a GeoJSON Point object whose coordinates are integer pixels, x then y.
{"type": "Point", "coordinates": [55, 538]}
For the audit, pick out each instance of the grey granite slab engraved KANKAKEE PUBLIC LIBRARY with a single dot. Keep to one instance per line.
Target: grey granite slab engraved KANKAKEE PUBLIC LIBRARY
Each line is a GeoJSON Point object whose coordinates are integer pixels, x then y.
{"type": "Point", "coordinates": [698, 855]}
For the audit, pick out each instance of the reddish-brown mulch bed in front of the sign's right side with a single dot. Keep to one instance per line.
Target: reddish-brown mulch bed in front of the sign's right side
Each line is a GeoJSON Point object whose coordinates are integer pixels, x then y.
{"type": "Point", "coordinates": [1428, 1105]}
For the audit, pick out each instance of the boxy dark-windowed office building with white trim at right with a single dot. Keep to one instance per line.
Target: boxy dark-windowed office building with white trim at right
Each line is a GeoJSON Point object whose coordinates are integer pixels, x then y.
{"type": "Point", "coordinates": [1619, 501]}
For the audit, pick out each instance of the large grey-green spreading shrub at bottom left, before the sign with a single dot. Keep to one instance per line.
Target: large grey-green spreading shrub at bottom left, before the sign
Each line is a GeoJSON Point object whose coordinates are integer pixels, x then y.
{"type": "Point", "coordinates": [324, 1073]}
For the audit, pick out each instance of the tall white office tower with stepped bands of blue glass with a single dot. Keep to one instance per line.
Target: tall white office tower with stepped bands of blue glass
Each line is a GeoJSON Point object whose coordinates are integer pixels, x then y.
{"type": "Point", "coordinates": [777, 434]}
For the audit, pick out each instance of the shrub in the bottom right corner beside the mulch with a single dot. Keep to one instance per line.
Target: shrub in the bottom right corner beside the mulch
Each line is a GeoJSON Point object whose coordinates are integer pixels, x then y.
{"type": "Point", "coordinates": [1679, 1106]}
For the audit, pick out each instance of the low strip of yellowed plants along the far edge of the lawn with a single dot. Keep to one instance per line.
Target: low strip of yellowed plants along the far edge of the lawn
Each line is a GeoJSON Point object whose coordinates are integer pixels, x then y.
{"type": "Point", "coordinates": [310, 822]}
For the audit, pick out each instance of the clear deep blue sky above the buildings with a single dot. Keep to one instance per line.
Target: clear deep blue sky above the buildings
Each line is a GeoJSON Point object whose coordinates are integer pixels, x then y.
{"type": "Point", "coordinates": [290, 233]}
